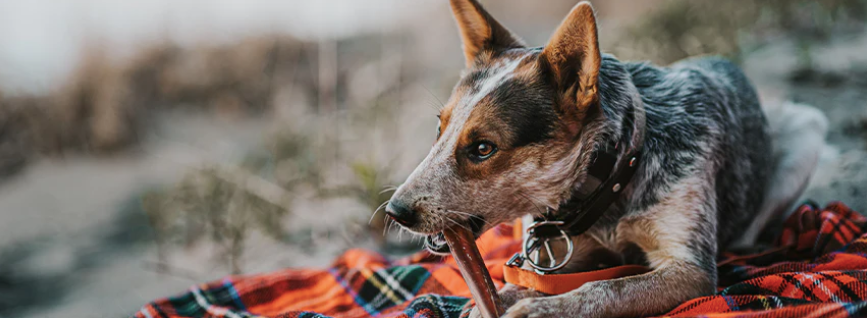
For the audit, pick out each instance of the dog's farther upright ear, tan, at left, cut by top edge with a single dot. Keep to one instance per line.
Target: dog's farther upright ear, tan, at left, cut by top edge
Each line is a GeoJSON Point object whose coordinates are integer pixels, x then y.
{"type": "Point", "coordinates": [480, 31]}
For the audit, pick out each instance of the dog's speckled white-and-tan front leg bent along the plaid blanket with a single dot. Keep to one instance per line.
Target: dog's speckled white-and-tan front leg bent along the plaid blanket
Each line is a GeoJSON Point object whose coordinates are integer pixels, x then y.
{"type": "Point", "coordinates": [678, 236]}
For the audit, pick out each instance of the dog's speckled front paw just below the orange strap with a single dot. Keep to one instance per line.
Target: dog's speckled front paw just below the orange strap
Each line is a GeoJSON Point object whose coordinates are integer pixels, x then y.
{"type": "Point", "coordinates": [550, 307]}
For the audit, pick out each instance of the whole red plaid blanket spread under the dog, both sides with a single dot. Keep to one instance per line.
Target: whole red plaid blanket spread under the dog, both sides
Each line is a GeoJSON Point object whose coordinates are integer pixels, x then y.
{"type": "Point", "coordinates": [818, 269]}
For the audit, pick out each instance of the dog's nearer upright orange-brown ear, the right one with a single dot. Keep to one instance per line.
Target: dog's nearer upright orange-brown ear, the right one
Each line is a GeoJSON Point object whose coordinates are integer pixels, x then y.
{"type": "Point", "coordinates": [573, 56]}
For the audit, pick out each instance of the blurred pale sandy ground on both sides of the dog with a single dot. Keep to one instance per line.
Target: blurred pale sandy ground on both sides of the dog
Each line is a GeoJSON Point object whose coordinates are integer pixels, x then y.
{"type": "Point", "coordinates": [72, 231]}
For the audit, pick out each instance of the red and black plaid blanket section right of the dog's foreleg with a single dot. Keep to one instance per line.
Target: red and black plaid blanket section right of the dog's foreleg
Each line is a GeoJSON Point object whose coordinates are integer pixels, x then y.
{"type": "Point", "coordinates": [818, 269]}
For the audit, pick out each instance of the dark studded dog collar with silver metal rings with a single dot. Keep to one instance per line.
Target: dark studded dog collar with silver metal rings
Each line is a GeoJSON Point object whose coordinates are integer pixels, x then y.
{"type": "Point", "coordinates": [607, 176]}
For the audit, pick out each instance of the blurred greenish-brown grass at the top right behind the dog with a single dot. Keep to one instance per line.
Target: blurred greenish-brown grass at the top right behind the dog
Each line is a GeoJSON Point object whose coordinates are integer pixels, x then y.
{"type": "Point", "coordinates": [684, 28]}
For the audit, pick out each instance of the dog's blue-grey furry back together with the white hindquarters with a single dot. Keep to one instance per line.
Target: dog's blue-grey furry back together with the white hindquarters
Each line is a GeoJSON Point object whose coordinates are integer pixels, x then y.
{"type": "Point", "coordinates": [753, 186]}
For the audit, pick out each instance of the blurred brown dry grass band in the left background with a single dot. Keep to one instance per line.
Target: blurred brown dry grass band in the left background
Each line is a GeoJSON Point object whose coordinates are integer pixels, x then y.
{"type": "Point", "coordinates": [105, 105]}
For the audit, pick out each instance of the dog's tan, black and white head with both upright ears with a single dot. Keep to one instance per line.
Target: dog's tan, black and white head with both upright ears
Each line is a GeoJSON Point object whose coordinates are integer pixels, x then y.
{"type": "Point", "coordinates": [509, 138]}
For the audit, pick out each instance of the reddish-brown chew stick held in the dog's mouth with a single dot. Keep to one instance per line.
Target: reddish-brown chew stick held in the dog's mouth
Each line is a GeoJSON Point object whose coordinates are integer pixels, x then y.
{"type": "Point", "coordinates": [463, 246]}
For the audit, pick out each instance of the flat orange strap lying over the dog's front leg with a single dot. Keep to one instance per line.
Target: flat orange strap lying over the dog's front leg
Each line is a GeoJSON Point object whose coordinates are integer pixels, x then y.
{"type": "Point", "coordinates": [555, 284]}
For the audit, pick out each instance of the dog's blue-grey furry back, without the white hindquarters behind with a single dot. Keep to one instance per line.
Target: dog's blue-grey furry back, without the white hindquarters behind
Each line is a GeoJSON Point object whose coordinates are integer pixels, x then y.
{"type": "Point", "coordinates": [706, 108]}
